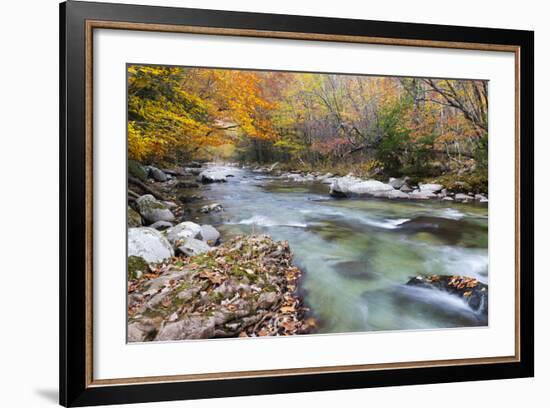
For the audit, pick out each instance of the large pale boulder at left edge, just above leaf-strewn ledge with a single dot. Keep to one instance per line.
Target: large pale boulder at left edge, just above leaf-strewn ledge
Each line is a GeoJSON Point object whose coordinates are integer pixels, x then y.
{"type": "Point", "coordinates": [148, 244]}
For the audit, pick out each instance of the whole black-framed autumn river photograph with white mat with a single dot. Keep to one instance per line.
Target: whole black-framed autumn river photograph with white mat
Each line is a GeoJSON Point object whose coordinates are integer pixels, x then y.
{"type": "Point", "coordinates": [256, 203]}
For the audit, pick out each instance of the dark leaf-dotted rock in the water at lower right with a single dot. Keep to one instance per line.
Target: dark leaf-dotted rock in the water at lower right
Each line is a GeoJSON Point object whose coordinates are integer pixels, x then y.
{"type": "Point", "coordinates": [473, 292]}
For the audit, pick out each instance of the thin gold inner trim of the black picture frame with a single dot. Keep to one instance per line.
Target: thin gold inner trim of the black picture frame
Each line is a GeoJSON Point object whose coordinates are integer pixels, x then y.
{"type": "Point", "coordinates": [101, 24]}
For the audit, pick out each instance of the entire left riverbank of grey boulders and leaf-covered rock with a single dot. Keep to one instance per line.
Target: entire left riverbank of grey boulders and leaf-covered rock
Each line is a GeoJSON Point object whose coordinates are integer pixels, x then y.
{"type": "Point", "coordinates": [184, 282]}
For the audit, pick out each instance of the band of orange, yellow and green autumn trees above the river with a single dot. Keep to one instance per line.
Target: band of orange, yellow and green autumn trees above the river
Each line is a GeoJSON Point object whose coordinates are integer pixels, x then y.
{"type": "Point", "coordinates": [385, 125]}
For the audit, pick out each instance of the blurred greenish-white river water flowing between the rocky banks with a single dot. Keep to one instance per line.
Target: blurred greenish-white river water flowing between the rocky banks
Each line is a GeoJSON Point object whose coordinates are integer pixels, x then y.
{"type": "Point", "coordinates": [358, 254]}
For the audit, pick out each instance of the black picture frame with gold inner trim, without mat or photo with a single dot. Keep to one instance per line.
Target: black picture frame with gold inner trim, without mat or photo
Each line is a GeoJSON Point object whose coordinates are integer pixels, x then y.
{"type": "Point", "coordinates": [78, 20]}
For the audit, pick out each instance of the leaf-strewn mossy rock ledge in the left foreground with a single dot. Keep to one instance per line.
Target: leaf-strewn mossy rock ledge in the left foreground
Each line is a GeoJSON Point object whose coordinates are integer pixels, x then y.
{"type": "Point", "coordinates": [247, 287]}
